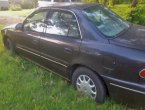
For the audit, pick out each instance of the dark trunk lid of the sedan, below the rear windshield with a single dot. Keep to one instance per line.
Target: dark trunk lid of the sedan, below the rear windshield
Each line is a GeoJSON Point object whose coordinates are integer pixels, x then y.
{"type": "Point", "coordinates": [134, 37]}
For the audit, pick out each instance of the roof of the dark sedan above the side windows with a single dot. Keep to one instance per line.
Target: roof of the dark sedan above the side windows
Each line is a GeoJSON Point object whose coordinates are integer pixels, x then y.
{"type": "Point", "coordinates": [79, 6]}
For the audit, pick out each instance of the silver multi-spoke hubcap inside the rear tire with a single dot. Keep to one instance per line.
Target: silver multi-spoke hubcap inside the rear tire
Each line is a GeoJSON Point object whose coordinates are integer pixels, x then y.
{"type": "Point", "coordinates": [87, 86]}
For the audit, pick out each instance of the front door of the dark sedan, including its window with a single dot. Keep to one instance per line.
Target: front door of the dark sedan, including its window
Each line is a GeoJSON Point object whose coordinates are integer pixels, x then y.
{"type": "Point", "coordinates": [28, 40]}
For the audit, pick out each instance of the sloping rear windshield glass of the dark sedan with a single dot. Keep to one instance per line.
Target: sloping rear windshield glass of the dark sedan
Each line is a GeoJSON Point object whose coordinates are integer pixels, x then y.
{"type": "Point", "coordinates": [105, 20]}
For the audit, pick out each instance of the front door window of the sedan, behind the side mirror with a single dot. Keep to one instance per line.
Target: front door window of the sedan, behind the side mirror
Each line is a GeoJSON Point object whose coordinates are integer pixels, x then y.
{"type": "Point", "coordinates": [35, 22]}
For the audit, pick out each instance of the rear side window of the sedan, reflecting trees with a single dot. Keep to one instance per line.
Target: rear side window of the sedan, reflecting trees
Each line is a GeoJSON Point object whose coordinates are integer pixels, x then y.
{"type": "Point", "coordinates": [62, 23]}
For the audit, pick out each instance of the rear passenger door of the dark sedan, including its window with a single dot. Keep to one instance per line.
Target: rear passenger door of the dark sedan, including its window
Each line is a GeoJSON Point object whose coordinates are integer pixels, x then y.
{"type": "Point", "coordinates": [62, 40]}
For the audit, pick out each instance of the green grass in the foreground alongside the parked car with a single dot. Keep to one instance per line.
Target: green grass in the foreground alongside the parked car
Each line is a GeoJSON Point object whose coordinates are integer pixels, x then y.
{"type": "Point", "coordinates": [26, 86]}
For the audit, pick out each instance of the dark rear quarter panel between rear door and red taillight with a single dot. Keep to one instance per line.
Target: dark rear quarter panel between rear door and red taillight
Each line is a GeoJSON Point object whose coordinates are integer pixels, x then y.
{"type": "Point", "coordinates": [112, 60]}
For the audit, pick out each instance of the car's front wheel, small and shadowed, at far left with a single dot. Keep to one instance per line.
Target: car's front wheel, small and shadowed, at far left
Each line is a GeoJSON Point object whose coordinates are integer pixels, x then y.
{"type": "Point", "coordinates": [10, 46]}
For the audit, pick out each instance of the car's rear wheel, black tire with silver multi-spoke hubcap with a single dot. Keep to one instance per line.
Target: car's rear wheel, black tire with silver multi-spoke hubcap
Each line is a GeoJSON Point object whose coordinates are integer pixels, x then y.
{"type": "Point", "coordinates": [86, 81]}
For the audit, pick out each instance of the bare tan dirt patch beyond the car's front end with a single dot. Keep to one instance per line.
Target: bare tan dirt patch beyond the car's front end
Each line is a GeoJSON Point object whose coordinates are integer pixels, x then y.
{"type": "Point", "coordinates": [8, 20]}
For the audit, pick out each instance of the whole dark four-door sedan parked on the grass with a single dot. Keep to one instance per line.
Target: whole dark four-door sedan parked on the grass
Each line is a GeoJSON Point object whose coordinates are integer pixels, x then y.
{"type": "Point", "coordinates": [100, 53]}
